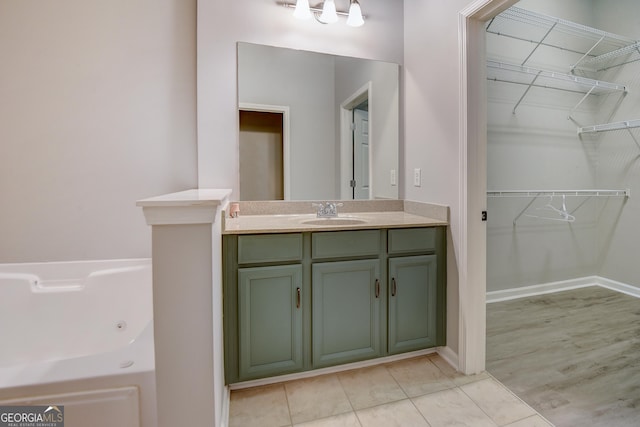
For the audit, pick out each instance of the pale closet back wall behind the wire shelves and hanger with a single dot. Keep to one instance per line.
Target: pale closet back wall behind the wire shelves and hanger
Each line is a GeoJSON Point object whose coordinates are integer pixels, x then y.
{"type": "Point", "coordinates": [537, 148]}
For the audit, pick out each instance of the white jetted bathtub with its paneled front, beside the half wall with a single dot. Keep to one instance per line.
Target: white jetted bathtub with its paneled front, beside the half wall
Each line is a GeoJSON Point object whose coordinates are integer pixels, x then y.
{"type": "Point", "coordinates": [79, 334]}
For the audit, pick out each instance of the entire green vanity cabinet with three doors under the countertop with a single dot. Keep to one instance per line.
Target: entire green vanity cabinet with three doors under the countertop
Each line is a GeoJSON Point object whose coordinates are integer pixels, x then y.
{"type": "Point", "coordinates": [299, 301]}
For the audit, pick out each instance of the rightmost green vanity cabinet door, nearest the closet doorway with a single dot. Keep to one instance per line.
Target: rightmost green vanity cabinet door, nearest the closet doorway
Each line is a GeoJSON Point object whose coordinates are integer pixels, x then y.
{"type": "Point", "coordinates": [412, 320]}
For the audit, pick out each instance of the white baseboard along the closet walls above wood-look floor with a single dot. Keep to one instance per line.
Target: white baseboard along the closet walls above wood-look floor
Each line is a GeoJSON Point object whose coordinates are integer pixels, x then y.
{"type": "Point", "coordinates": [564, 285]}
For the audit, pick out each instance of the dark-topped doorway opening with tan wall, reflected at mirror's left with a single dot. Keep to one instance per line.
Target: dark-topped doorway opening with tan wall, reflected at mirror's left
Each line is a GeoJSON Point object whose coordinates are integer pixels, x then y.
{"type": "Point", "coordinates": [261, 155]}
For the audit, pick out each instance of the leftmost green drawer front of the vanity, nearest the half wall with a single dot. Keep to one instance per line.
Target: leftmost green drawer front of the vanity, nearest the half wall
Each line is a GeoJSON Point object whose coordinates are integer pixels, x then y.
{"type": "Point", "coordinates": [269, 248]}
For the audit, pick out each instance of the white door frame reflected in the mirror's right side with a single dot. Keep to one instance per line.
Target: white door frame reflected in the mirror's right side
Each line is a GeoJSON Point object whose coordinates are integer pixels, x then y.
{"type": "Point", "coordinates": [346, 136]}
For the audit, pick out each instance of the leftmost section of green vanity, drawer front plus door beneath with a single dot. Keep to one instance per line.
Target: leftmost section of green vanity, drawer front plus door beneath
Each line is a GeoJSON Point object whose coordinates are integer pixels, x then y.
{"type": "Point", "coordinates": [263, 290]}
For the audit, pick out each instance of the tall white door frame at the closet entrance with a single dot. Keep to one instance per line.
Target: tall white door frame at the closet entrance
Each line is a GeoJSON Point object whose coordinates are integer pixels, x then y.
{"type": "Point", "coordinates": [473, 182]}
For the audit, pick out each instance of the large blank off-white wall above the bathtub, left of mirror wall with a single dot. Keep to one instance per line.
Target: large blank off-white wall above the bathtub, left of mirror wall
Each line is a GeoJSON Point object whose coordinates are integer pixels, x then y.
{"type": "Point", "coordinates": [97, 111]}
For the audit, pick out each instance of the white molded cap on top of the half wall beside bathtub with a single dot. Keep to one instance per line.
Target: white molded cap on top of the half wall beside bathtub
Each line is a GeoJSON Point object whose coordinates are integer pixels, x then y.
{"type": "Point", "coordinates": [195, 206]}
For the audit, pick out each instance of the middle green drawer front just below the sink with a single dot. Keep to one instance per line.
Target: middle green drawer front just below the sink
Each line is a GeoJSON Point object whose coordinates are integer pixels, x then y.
{"type": "Point", "coordinates": [340, 244]}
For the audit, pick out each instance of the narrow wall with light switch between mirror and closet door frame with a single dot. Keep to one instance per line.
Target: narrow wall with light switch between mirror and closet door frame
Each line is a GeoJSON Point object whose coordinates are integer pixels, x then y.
{"type": "Point", "coordinates": [431, 131]}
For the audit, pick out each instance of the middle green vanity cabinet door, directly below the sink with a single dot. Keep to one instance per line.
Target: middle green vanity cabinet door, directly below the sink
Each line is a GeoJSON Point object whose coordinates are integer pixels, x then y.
{"type": "Point", "coordinates": [345, 311]}
